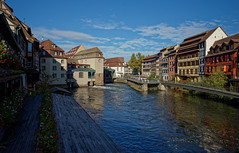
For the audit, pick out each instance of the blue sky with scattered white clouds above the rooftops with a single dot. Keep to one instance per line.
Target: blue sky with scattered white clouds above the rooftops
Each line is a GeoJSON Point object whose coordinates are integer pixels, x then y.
{"type": "Point", "coordinates": [122, 27]}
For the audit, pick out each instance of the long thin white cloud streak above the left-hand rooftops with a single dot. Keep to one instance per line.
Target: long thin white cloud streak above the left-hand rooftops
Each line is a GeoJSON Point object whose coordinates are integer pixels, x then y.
{"type": "Point", "coordinates": [65, 34]}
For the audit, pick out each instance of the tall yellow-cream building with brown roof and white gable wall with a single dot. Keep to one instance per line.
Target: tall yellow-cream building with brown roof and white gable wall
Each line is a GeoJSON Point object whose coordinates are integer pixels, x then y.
{"type": "Point", "coordinates": [192, 52]}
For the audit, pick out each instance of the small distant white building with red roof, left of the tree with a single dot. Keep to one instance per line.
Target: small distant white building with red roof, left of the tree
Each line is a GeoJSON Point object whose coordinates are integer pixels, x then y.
{"type": "Point", "coordinates": [117, 64]}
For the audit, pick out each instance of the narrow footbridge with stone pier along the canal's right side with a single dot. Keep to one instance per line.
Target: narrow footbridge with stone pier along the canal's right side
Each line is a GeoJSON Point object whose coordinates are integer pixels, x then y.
{"type": "Point", "coordinates": [145, 85]}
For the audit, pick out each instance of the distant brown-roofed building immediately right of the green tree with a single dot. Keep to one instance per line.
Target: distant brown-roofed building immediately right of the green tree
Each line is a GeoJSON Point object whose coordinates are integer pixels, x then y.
{"type": "Point", "coordinates": [149, 65]}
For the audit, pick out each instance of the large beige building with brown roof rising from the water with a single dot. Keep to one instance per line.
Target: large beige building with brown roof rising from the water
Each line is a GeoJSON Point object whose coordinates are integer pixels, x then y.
{"type": "Point", "coordinates": [94, 75]}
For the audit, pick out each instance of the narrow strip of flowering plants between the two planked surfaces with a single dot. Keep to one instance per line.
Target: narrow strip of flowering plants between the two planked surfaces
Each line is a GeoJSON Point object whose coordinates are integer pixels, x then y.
{"type": "Point", "coordinates": [47, 136]}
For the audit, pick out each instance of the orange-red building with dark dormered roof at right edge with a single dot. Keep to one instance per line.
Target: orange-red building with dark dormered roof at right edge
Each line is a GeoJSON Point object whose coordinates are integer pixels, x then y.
{"type": "Point", "coordinates": [224, 55]}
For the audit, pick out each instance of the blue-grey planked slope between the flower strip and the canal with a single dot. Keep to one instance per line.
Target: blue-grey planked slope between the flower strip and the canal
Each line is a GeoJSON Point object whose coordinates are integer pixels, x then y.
{"type": "Point", "coordinates": [77, 130]}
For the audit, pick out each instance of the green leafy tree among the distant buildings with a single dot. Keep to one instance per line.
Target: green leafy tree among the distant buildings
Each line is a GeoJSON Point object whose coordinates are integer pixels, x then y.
{"type": "Point", "coordinates": [136, 62]}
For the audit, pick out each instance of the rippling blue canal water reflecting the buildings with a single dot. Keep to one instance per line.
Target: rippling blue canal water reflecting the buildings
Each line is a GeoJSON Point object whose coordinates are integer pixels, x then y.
{"type": "Point", "coordinates": [162, 121]}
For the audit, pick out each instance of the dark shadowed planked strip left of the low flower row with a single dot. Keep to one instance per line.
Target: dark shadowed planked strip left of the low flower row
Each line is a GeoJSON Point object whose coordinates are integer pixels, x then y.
{"type": "Point", "coordinates": [23, 137]}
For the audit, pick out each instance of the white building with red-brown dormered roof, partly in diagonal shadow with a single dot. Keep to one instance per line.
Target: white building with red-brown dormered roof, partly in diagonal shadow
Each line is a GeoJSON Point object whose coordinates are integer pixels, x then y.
{"type": "Point", "coordinates": [53, 63]}
